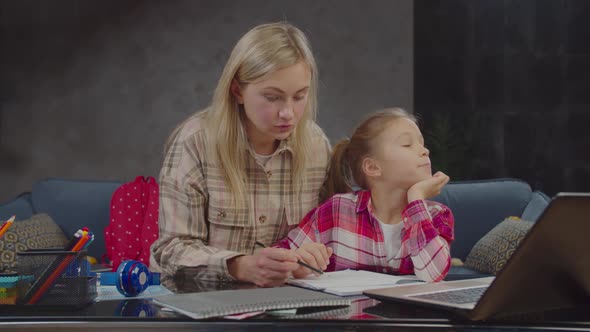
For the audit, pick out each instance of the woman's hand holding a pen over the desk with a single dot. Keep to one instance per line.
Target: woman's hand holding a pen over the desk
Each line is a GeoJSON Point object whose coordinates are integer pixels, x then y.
{"type": "Point", "coordinates": [268, 267]}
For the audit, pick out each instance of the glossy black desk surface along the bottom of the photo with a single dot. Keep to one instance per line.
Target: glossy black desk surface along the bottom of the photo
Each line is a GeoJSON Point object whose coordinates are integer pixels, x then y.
{"type": "Point", "coordinates": [364, 315]}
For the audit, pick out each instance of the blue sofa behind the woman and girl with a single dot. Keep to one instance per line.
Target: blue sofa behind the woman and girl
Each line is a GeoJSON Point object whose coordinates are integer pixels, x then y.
{"type": "Point", "coordinates": [477, 205]}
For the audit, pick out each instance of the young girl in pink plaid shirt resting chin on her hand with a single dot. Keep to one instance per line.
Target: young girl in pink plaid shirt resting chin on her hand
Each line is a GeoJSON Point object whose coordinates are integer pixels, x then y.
{"type": "Point", "coordinates": [388, 226]}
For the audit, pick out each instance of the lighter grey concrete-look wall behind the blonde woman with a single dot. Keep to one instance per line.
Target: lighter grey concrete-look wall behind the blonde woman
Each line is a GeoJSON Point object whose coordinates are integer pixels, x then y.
{"type": "Point", "coordinates": [91, 89]}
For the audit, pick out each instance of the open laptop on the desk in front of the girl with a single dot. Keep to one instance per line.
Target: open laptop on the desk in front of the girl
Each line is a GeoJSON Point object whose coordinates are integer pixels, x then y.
{"type": "Point", "coordinates": [549, 270]}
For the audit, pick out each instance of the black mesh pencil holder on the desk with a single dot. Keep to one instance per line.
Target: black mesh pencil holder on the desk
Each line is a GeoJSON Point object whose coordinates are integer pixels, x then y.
{"type": "Point", "coordinates": [54, 277]}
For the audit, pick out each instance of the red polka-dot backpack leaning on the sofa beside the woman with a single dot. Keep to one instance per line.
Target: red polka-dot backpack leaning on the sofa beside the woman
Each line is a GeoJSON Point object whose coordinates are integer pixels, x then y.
{"type": "Point", "coordinates": [133, 225]}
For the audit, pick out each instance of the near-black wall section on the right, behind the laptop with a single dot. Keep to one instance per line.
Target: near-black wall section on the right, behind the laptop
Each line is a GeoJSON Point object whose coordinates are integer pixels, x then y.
{"type": "Point", "coordinates": [504, 85]}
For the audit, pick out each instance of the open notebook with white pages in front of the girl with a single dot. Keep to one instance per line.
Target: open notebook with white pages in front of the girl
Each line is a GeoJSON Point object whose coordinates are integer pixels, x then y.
{"type": "Point", "coordinates": [351, 282]}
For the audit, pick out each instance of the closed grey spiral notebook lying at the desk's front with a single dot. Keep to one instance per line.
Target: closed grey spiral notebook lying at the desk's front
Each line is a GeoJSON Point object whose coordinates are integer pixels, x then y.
{"type": "Point", "coordinates": [228, 302]}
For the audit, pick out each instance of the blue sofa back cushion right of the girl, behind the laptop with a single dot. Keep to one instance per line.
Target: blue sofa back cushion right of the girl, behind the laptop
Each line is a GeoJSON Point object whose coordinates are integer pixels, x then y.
{"type": "Point", "coordinates": [478, 206]}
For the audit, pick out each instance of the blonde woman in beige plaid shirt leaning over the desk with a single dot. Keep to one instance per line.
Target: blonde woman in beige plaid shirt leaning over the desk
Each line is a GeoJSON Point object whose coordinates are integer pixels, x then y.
{"type": "Point", "coordinates": [247, 168]}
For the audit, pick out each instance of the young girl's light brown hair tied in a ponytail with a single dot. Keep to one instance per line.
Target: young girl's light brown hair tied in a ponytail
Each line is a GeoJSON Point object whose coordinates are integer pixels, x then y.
{"type": "Point", "coordinates": [348, 154]}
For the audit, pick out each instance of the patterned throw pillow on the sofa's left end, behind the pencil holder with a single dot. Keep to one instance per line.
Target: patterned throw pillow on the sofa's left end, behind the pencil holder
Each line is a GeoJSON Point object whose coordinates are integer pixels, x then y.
{"type": "Point", "coordinates": [39, 231]}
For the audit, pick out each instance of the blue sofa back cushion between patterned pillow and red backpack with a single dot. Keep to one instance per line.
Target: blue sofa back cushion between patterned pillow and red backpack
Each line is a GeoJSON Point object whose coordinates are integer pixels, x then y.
{"type": "Point", "coordinates": [74, 204]}
